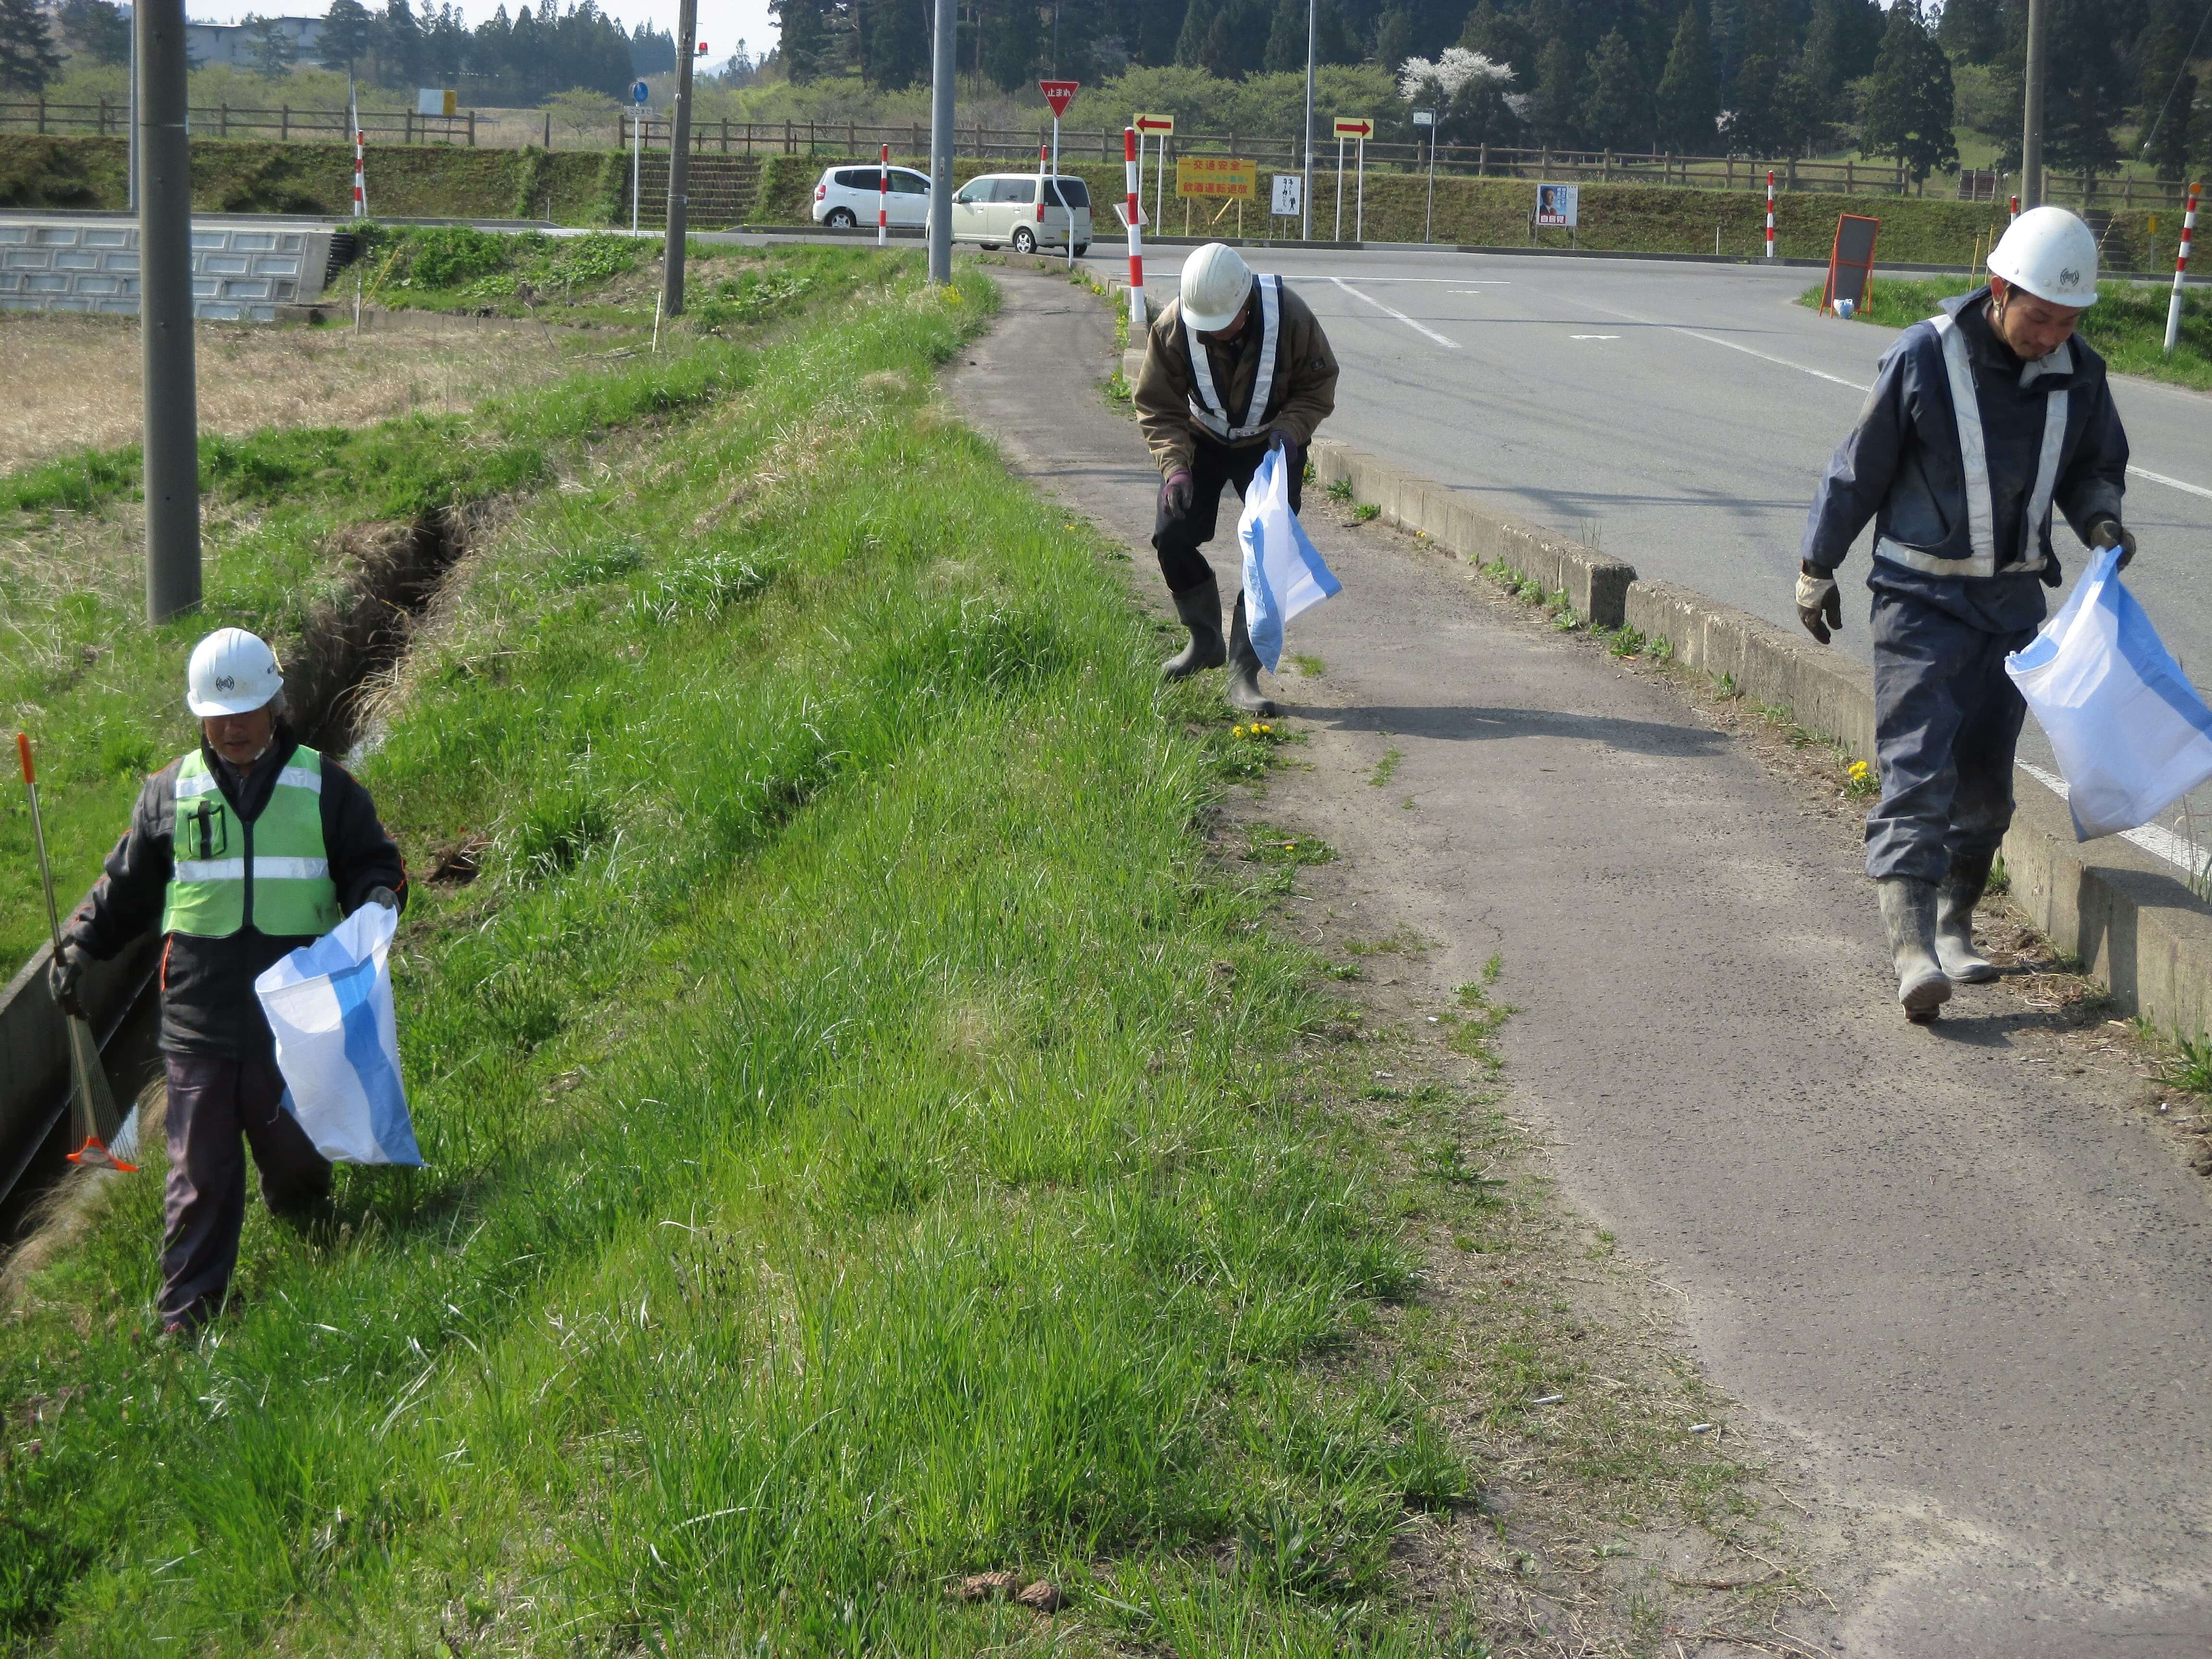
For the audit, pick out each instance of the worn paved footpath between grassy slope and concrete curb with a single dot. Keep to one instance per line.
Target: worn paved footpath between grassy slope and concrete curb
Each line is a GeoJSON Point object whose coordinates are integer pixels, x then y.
{"type": "Point", "coordinates": [1963, 1297]}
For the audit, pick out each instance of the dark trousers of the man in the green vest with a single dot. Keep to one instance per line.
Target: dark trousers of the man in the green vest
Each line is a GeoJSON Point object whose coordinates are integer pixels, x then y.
{"type": "Point", "coordinates": [211, 1105]}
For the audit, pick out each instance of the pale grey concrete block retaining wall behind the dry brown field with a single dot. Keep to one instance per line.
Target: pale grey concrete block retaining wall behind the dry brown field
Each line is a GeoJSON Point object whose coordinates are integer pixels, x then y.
{"type": "Point", "coordinates": [240, 273]}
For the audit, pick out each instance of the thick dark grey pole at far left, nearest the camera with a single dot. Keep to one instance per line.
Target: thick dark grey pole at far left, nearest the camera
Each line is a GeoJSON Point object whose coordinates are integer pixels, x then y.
{"type": "Point", "coordinates": [167, 313]}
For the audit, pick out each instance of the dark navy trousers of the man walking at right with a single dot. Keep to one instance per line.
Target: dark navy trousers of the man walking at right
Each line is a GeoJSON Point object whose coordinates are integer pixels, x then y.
{"type": "Point", "coordinates": [1945, 729]}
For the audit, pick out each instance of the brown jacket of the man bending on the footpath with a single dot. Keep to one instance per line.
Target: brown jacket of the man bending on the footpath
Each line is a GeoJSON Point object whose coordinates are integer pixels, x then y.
{"type": "Point", "coordinates": [1304, 393]}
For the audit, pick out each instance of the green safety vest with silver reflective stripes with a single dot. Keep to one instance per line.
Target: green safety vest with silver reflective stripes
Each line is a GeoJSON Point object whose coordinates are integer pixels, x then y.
{"type": "Point", "coordinates": [286, 873]}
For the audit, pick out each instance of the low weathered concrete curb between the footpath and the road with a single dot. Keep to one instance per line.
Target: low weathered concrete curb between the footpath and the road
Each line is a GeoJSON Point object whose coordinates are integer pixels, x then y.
{"type": "Point", "coordinates": [2125, 915]}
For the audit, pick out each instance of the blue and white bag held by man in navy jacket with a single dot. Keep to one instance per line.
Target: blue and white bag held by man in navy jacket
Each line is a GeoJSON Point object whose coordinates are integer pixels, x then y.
{"type": "Point", "coordinates": [2129, 731]}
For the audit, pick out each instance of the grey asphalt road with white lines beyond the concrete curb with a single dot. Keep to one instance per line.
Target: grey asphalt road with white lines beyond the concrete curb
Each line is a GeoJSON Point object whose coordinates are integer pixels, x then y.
{"type": "Point", "coordinates": [1676, 415]}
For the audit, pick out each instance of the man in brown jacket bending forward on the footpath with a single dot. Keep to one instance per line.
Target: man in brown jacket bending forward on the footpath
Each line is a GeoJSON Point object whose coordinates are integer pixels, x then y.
{"type": "Point", "coordinates": [1233, 368]}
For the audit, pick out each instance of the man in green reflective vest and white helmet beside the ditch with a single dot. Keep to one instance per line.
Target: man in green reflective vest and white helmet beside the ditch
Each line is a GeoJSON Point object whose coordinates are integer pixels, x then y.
{"type": "Point", "coordinates": [240, 853]}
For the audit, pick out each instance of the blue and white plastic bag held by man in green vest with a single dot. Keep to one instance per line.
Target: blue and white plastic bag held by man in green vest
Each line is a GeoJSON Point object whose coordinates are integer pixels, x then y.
{"type": "Point", "coordinates": [337, 1041]}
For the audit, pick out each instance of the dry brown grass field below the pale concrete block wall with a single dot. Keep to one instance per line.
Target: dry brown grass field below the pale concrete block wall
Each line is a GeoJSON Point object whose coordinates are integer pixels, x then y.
{"type": "Point", "coordinates": [74, 382]}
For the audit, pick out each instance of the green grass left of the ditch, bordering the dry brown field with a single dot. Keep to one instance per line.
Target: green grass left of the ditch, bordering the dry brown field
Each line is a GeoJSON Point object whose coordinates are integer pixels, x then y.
{"type": "Point", "coordinates": [98, 691]}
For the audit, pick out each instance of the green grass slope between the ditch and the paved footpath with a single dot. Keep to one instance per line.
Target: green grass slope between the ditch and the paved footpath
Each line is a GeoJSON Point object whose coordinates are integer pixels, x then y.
{"type": "Point", "coordinates": [846, 1171]}
